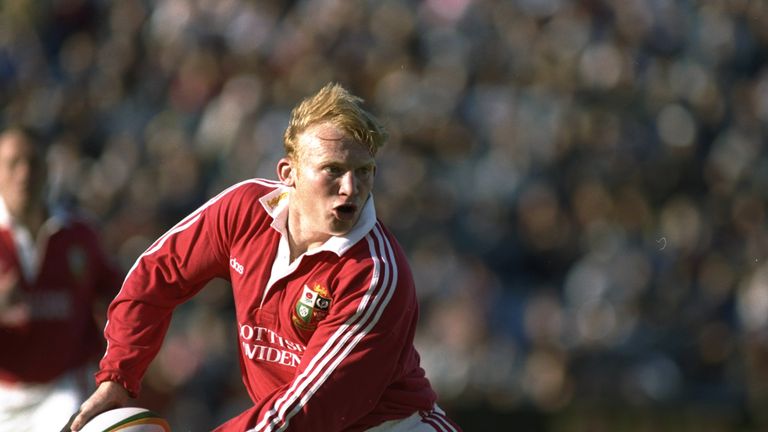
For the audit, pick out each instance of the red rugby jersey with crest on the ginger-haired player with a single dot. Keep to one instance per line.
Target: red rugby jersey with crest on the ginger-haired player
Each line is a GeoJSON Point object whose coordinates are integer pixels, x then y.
{"type": "Point", "coordinates": [326, 342]}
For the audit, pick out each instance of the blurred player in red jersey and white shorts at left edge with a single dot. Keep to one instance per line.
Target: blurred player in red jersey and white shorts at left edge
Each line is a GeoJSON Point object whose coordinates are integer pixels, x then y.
{"type": "Point", "coordinates": [55, 283]}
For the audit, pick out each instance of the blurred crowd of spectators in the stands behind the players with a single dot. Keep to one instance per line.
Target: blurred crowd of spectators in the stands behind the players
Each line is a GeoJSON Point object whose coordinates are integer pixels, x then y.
{"type": "Point", "coordinates": [580, 185]}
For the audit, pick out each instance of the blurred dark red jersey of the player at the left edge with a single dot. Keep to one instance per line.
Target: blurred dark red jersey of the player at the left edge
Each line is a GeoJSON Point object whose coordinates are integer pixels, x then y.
{"type": "Point", "coordinates": [71, 275]}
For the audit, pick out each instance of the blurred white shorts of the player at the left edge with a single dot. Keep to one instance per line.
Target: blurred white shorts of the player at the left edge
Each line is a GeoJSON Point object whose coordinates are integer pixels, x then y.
{"type": "Point", "coordinates": [42, 407]}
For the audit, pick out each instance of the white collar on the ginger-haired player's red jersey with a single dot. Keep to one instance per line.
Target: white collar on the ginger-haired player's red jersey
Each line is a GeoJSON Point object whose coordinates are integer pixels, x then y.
{"type": "Point", "coordinates": [276, 205]}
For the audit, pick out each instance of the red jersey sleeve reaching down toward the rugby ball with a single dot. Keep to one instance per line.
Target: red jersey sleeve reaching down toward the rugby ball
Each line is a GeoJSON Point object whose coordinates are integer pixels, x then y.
{"type": "Point", "coordinates": [173, 269]}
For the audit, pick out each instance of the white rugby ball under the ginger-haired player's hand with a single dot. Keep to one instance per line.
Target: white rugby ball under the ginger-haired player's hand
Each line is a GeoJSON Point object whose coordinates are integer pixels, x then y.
{"type": "Point", "coordinates": [128, 419]}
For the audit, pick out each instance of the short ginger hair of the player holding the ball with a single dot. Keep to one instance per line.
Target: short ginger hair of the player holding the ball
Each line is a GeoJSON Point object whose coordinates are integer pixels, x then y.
{"type": "Point", "coordinates": [334, 104]}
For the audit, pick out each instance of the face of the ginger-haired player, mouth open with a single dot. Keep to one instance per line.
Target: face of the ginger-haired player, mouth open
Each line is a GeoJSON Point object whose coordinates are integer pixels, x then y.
{"type": "Point", "coordinates": [332, 178]}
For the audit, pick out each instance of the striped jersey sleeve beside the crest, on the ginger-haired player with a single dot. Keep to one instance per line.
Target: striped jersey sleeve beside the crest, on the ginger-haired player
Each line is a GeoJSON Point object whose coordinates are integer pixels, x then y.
{"type": "Point", "coordinates": [354, 355]}
